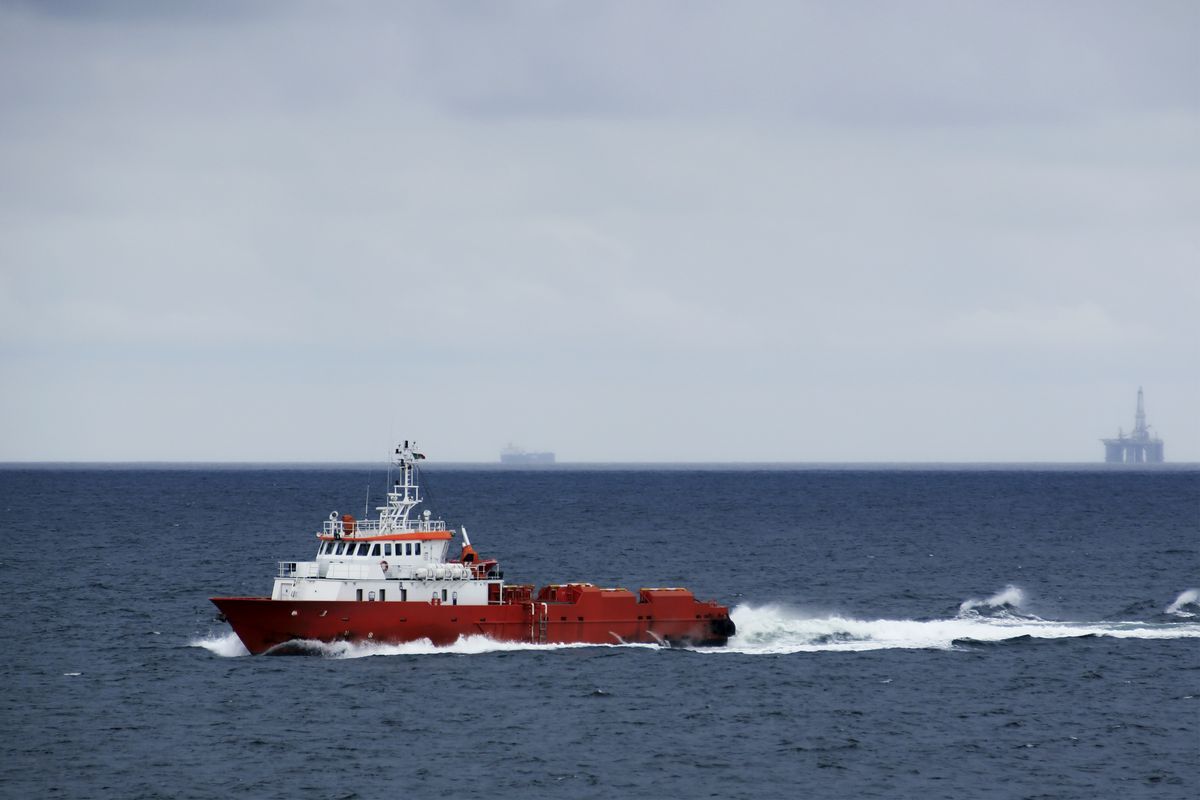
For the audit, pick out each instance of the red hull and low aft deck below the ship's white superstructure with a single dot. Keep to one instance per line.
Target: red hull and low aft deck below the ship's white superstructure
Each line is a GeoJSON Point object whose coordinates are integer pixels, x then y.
{"type": "Point", "coordinates": [560, 615]}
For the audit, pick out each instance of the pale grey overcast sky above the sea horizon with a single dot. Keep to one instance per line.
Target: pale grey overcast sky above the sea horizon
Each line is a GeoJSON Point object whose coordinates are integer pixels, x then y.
{"type": "Point", "coordinates": [619, 231]}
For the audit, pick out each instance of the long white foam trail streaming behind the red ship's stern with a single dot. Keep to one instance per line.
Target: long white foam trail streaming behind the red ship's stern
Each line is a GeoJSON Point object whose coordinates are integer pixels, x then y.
{"type": "Point", "coordinates": [773, 630]}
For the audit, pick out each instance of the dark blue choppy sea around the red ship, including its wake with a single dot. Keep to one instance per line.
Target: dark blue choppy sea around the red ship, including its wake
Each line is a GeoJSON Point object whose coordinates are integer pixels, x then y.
{"type": "Point", "coordinates": [902, 634]}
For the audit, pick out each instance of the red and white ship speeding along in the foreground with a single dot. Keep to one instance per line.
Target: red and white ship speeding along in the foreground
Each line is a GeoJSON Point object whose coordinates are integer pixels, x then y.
{"type": "Point", "coordinates": [392, 580]}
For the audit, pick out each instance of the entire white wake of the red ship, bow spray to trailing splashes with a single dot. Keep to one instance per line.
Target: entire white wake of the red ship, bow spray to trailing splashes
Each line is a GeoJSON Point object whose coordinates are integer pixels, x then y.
{"type": "Point", "coordinates": [777, 629]}
